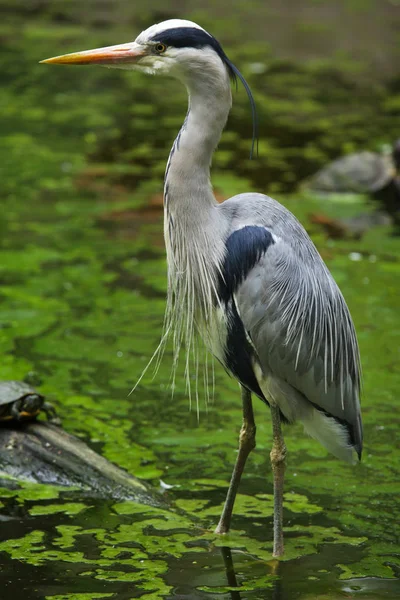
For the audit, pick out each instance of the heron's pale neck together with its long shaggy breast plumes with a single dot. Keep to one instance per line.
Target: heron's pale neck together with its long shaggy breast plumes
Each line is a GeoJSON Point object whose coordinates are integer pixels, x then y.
{"type": "Point", "coordinates": [193, 227]}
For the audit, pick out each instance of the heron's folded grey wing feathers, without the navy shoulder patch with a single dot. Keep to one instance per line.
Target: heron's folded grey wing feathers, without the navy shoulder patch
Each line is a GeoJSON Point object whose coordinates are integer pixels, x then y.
{"type": "Point", "coordinates": [303, 337]}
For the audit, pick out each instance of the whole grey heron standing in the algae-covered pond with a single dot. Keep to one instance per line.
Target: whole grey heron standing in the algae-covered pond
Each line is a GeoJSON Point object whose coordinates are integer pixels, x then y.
{"type": "Point", "coordinates": [244, 274]}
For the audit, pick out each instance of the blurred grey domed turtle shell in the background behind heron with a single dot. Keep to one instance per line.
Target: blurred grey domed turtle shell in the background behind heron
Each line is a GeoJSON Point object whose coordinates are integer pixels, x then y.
{"type": "Point", "coordinates": [363, 172]}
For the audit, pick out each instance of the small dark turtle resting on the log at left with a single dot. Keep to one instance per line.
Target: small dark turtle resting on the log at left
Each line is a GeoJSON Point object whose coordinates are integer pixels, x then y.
{"type": "Point", "coordinates": [21, 402]}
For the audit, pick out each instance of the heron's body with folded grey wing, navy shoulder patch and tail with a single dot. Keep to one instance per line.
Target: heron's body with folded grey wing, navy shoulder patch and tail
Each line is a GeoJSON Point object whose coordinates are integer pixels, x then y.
{"type": "Point", "coordinates": [289, 319]}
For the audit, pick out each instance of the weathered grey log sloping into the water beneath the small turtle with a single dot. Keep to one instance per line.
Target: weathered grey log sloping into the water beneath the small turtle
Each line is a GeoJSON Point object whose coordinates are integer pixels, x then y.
{"type": "Point", "coordinates": [44, 453]}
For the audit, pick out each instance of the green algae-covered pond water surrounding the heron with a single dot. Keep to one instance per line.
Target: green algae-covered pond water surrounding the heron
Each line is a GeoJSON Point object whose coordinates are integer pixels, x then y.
{"type": "Point", "coordinates": [82, 295]}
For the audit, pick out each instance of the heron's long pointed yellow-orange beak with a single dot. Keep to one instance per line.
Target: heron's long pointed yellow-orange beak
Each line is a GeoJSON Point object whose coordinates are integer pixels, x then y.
{"type": "Point", "coordinates": [110, 55]}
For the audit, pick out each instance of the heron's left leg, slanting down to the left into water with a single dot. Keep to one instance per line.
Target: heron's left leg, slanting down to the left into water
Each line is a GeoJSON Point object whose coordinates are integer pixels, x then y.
{"type": "Point", "coordinates": [247, 442]}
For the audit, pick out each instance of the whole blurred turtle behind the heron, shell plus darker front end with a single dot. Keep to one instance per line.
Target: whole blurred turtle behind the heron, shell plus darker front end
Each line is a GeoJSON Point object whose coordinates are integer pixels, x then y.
{"type": "Point", "coordinates": [377, 175]}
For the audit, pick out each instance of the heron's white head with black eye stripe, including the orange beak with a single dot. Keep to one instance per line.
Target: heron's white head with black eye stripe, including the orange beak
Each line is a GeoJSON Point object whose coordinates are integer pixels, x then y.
{"type": "Point", "coordinates": [176, 47]}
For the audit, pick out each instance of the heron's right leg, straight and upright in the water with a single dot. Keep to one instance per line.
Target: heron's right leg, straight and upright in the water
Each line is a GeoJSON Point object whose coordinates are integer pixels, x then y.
{"type": "Point", "coordinates": [278, 455]}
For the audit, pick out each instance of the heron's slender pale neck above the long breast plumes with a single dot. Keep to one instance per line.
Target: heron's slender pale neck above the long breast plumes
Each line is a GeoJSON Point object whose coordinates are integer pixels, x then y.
{"type": "Point", "coordinates": [188, 190]}
